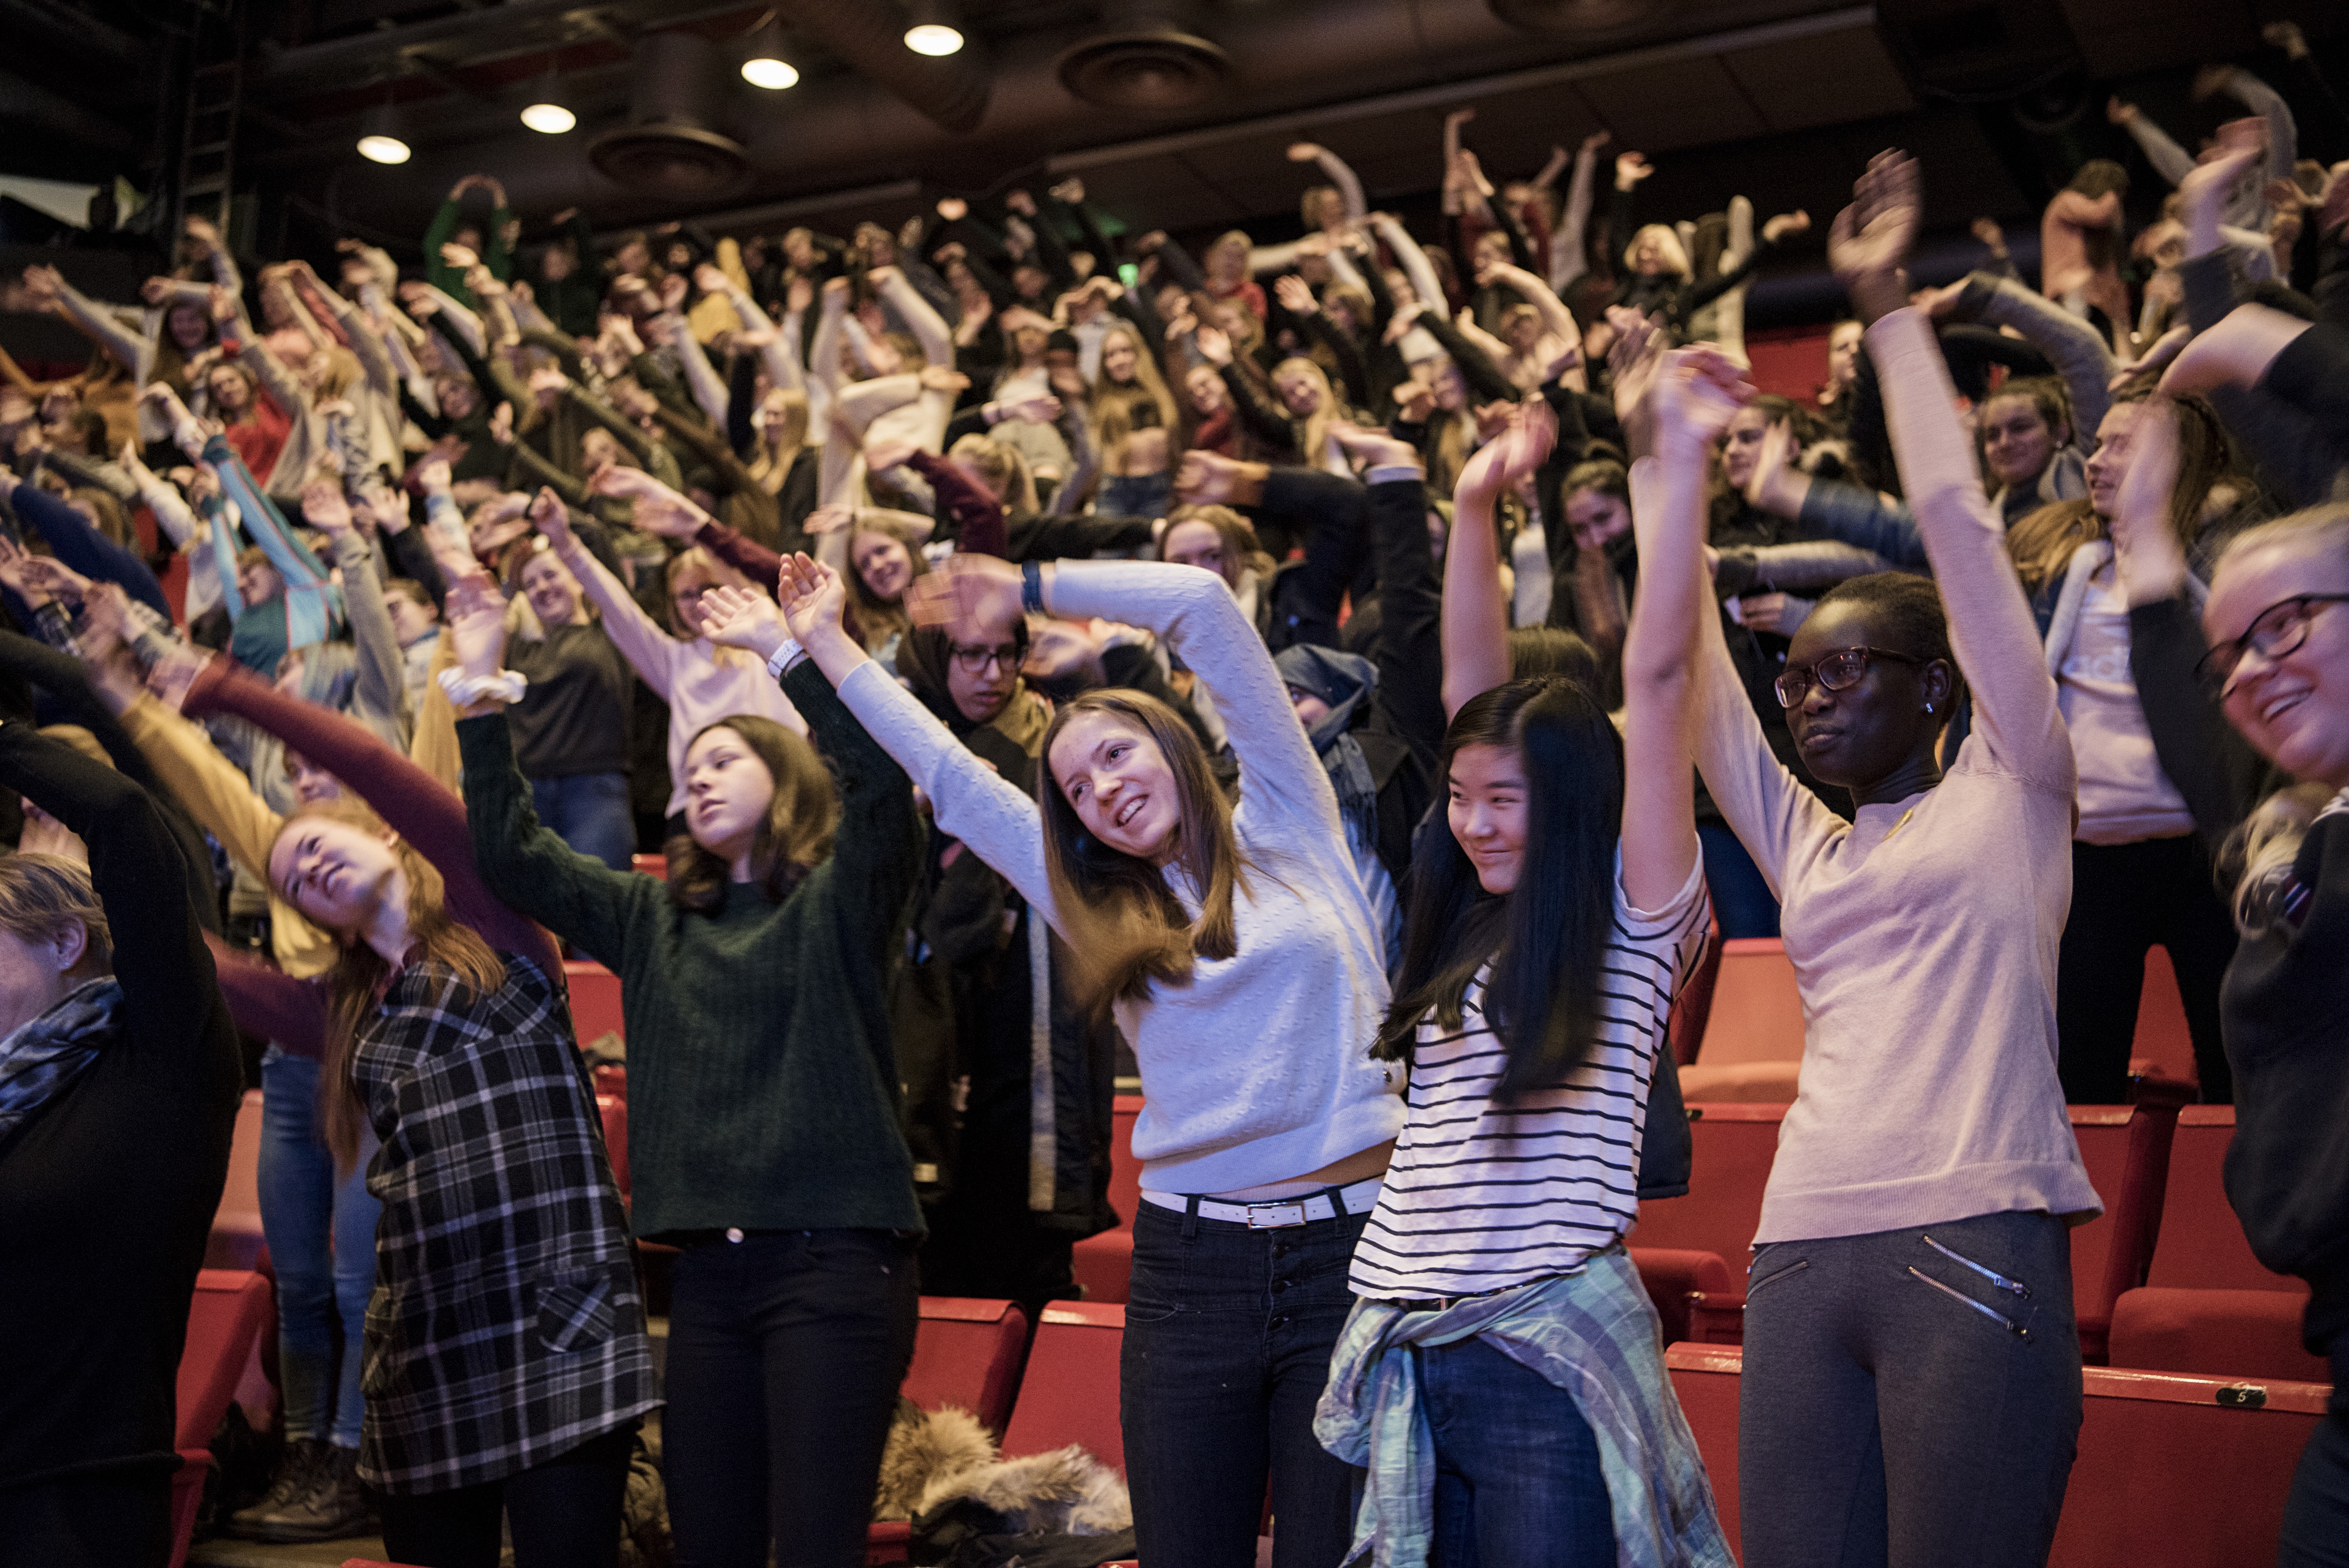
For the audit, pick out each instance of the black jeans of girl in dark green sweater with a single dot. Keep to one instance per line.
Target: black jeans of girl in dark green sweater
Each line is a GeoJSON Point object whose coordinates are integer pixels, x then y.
{"type": "Point", "coordinates": [786, 1356]}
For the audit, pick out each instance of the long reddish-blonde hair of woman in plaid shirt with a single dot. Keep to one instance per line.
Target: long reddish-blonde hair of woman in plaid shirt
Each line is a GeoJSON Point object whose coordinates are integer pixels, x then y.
{"type": "Point", "coordinates": [358, 978]}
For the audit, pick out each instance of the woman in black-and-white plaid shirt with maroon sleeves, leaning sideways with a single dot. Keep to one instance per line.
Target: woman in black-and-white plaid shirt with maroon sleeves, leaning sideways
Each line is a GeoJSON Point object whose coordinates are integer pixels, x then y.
{"type": "Point", "coordinates": [443, 1029]}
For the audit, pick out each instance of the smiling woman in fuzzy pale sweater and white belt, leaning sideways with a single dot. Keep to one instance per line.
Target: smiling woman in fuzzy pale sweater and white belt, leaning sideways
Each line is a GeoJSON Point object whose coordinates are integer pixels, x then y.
{"type": "Point", "coordinates": [1209, 931]}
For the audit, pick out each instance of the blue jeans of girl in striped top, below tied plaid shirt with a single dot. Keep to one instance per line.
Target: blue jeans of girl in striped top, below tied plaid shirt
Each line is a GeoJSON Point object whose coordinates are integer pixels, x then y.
{"type": "Point", "coordinates": [1519, 1478]}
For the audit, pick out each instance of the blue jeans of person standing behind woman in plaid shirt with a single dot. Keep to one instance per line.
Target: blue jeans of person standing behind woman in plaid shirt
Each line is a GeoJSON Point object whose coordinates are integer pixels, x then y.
{"type": "Point", "coordinates": [323, 1245]}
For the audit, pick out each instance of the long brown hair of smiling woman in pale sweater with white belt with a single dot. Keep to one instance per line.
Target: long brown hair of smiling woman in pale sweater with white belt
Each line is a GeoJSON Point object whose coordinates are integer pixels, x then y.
{"type": "Point", "coordinates": [1124, 924]}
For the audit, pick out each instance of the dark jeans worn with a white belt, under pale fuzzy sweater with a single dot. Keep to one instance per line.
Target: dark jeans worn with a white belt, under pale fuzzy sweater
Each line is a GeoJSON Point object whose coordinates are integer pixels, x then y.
{"type": "Point", "coordinates": [1227, 1353]}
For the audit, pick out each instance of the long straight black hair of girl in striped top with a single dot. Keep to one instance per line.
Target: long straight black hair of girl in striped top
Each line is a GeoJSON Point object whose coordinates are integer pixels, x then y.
{"type": "Point", "coordinates": [1549, 938]}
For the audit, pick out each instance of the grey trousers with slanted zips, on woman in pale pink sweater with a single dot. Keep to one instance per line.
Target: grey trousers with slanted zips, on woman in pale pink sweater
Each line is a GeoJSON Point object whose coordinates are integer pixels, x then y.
{"type": "Point", "coordinates": [1911, 1398]}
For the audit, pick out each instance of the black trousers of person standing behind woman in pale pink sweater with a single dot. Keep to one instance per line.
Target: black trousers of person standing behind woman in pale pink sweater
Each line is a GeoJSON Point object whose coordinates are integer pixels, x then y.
{"type": "Point", "coordinates": [2127, 900]}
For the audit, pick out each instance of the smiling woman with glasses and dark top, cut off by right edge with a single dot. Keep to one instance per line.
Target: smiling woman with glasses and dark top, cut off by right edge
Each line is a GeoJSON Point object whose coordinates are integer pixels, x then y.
{"type": "Point", "coordinates": [2249, 694]}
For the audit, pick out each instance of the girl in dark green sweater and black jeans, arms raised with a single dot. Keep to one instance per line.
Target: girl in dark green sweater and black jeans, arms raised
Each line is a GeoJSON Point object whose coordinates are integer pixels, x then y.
{"type": "Point", "coordinates": [762, 1095]}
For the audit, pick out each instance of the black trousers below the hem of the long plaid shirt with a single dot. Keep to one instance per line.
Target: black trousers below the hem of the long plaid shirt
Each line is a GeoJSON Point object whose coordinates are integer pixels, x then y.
{"type": "Point", "coordinates": [565, 1513]}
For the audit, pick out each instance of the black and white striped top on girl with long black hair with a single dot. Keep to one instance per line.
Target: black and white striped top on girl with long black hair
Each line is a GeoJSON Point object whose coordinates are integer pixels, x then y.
{"type": "Point", "coordinates": [1483, 1196]}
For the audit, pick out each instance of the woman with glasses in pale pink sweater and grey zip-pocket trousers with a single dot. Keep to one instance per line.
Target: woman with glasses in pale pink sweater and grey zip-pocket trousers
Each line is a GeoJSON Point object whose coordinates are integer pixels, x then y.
{"type": "Point", "coordinates": [1913, 1384]}
